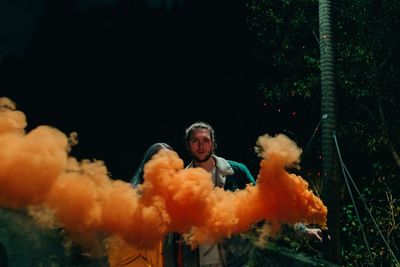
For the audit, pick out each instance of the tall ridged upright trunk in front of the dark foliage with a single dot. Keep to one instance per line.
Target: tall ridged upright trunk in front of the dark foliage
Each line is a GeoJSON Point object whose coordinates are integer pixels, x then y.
{"type": "Point", "coordinates": [331, 182]}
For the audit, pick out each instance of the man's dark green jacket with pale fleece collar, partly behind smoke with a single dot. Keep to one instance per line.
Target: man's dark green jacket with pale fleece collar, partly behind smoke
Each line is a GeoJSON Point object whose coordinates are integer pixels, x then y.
{"type": "Point", "coordinates": [231, 175]}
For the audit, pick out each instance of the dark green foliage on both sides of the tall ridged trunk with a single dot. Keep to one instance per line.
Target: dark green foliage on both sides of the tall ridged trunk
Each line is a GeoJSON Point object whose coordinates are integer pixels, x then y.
{"type": "Point", "coordinates": [367, 85]}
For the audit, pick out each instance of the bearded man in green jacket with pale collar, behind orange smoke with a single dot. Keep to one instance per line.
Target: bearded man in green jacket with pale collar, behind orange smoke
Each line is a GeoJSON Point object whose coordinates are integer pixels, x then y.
{"type": "Point", "coordinates": [230, 175]}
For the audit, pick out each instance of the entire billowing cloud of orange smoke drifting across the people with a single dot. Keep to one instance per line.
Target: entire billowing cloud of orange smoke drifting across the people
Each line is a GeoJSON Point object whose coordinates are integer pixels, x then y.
{"type": "Point", "coordinates": [36, 171]}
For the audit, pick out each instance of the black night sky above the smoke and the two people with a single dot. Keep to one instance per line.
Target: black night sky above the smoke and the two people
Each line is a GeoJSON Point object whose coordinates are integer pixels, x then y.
{"type": "Point", "coordinates": [124, 76]}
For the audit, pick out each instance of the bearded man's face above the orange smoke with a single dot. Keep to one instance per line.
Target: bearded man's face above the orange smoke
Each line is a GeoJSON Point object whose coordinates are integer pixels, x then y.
{"type": "Point", "coordinates": [200, 145]}
